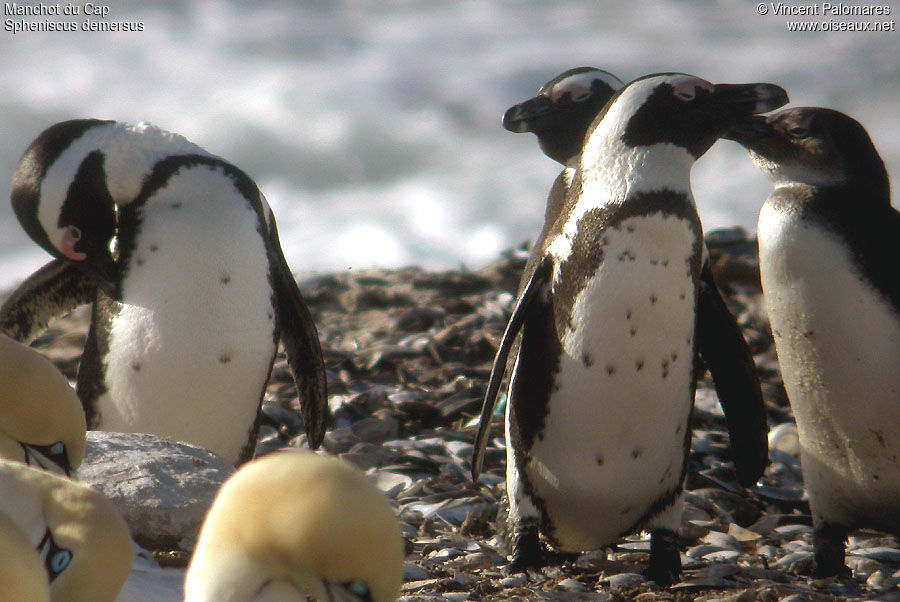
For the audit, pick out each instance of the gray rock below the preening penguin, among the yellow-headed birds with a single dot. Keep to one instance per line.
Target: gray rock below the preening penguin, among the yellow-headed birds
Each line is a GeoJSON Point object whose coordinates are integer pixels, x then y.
{"type": "Point", "coordinates": [163, 488]}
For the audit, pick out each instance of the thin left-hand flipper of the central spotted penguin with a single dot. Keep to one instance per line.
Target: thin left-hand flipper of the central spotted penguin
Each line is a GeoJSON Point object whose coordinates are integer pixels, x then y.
{"type": "Point", "coordinates": [536, 282]}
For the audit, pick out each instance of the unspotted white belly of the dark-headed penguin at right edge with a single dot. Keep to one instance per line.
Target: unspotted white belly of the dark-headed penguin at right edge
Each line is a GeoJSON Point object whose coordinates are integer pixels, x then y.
{"type": "Point", "coordinates": [838, 345]}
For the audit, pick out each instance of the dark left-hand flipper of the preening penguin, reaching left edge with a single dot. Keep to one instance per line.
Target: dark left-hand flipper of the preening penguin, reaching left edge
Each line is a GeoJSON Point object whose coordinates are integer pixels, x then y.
{"type": "Point", "coordinates": [56, 288]}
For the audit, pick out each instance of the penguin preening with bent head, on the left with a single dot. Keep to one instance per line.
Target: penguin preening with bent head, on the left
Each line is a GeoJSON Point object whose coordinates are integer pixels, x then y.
{"type": "Point", "coordinates": [188, 307]}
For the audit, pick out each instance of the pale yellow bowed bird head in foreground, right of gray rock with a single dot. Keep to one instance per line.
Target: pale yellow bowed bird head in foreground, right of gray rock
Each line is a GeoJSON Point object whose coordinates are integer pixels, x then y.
{"type": "Point", "coordinates": [299, 525]}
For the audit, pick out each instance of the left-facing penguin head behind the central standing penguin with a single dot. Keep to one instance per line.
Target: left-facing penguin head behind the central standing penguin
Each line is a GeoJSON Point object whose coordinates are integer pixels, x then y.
{"type": "Point", "coordinates": [563, 109]}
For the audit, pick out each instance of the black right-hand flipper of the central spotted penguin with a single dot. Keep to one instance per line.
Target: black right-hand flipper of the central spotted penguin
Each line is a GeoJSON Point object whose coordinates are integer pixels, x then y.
{"type": "Point", "coordinates": [730, 362]}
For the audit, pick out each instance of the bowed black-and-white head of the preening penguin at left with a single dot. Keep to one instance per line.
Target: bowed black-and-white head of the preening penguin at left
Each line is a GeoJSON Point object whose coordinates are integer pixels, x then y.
{"type": "Point", "coordinates": [60, 197]}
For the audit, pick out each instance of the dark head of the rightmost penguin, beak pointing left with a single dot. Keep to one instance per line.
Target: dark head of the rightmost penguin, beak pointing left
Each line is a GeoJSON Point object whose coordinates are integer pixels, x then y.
{"type": "Point", "coordinates": [811, 145]}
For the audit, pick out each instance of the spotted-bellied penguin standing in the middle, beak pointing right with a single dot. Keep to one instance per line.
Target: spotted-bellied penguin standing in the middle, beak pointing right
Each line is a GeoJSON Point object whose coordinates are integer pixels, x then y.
{"type": "Point", "coordinates": [599, 404]}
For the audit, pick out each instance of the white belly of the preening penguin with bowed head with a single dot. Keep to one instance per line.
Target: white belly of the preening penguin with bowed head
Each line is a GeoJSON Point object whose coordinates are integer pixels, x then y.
{"type": "Point", "coordinates": [191, 350]}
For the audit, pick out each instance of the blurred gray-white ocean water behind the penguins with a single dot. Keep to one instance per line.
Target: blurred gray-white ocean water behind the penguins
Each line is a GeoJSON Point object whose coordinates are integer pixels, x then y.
{"type": "Point", "coordinates": [373, 128]}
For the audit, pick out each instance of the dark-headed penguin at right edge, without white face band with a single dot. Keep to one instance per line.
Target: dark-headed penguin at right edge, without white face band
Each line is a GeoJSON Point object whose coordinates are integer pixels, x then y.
{"type": "Point", "coordinates": [828, 243]}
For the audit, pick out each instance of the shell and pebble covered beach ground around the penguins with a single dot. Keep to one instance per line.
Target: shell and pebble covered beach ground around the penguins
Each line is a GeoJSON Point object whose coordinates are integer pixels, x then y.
{"type": "Point", "coordinates": [408, 353]}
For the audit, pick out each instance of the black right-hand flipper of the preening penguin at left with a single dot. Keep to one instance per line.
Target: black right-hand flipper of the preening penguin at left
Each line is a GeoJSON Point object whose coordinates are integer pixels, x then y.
{"type": "Point", "coordinates": [301, 344]}
